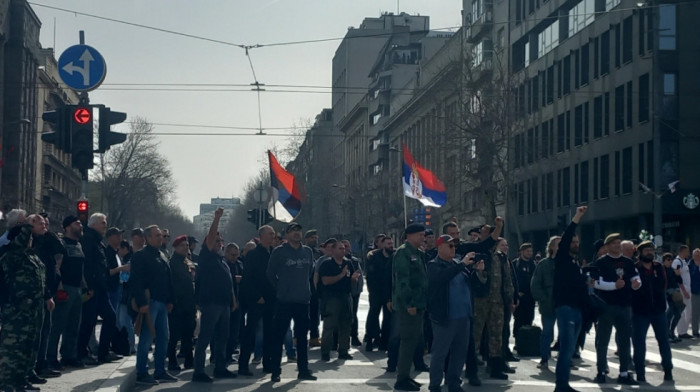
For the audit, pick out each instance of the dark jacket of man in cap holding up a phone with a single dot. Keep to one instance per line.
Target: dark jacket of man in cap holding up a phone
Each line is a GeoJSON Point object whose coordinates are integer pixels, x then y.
{"type": "Point", "coordinates": [440, 273]}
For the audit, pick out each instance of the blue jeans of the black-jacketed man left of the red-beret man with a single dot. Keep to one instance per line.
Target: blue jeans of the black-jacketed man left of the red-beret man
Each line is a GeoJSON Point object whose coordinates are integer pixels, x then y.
{"type": "Point", "coordinates": [159, 316]}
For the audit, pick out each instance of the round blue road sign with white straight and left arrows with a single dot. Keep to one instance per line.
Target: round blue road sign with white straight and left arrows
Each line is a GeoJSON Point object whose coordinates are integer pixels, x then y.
{"type": "Point", "coordinates": [82, 67]}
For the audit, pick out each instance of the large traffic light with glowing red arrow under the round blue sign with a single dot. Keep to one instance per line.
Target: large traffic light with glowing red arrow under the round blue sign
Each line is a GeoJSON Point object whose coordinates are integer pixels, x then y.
{"type": "Point", "coordinates": [82, 136]}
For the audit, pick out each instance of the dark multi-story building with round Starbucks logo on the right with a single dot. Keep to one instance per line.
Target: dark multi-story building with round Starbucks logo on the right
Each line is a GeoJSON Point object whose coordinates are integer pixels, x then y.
{"type": "Point", "coordinates": [605, 109]}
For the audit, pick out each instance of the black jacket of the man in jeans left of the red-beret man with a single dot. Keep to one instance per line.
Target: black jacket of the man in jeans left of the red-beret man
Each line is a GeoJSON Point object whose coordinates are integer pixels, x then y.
{"type": "Point", "coordinates": [150, 271]}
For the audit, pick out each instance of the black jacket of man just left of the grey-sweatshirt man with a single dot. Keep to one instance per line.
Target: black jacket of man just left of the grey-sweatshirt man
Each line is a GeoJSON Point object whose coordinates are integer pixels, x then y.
{"type": "Point", "coordinates": [254, 283]}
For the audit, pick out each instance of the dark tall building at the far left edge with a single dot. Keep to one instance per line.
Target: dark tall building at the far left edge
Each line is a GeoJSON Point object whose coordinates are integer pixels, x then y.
{"type": "Point", "coordinates": [19, 59]}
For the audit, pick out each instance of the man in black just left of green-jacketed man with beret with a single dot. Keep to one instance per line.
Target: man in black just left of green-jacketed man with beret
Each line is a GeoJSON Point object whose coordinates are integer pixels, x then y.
{"type": "Point", "coordinates": [378, 267]}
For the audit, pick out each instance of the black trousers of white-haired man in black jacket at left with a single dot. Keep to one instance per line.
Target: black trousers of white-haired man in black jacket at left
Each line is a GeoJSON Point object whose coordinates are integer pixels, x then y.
{"type": "Point", "coordinates": [98, 305]}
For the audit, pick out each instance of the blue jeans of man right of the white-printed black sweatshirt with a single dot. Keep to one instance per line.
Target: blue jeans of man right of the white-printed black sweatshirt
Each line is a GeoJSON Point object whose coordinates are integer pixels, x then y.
{"type": "Point", "coordinates": [639, 334]}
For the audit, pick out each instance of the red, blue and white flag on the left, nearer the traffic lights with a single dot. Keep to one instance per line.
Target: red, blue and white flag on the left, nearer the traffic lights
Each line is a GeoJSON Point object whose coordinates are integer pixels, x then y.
{"type": "Point", "coordinates": [285, 203]}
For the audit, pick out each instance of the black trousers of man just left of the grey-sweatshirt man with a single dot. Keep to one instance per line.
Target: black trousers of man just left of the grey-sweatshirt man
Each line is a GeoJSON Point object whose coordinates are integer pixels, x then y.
{"type": "Point", "coordinates": [256, 313]}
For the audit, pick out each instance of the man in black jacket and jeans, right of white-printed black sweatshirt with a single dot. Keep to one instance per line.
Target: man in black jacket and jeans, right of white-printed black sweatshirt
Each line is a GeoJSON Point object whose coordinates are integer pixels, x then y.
{"type": "Point", "coordinates": [649, 308]}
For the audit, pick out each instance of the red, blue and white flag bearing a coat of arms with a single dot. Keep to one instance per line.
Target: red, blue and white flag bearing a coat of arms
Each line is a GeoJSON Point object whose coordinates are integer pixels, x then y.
{"type": "Point", "coordinates": [421, 184]}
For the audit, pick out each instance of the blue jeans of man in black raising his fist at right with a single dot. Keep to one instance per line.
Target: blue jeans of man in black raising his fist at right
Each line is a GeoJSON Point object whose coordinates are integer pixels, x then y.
{"type": "Point", "coordinates": [569, 321]}
